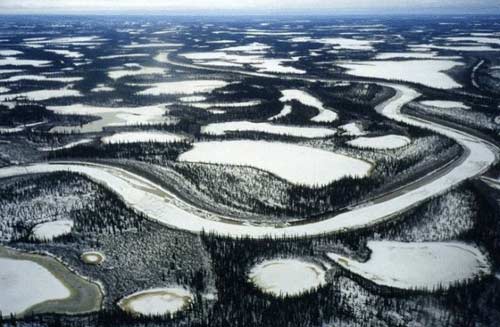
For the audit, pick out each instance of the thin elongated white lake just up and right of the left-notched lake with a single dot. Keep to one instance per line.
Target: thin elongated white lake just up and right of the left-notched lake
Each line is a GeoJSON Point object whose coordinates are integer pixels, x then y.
{"type": "Point", "coordinates": [184, 87]}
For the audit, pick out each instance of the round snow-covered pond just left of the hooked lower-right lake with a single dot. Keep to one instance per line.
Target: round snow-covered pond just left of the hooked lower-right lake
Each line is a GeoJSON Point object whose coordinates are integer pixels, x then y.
{"type": "Point", "coordinates": [282, 277]}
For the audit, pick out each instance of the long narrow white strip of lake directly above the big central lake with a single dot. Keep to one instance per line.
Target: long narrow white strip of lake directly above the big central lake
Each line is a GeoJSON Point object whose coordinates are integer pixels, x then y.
{"type": "Point", "coordinates": [235, 126]}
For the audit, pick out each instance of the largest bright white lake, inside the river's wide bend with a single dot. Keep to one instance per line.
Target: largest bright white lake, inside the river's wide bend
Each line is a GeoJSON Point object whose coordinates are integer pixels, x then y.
{"type": "Point", "coordinates": [297, 164]}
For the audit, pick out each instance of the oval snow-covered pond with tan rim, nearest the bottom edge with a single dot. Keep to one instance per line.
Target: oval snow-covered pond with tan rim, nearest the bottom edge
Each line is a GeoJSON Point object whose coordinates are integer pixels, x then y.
{"type": "Point", "coordinates": [157, 302]}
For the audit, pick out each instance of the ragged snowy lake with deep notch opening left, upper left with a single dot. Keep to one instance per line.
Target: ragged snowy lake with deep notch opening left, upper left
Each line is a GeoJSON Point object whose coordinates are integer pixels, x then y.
{"type": "Point", "coordinates": [110, 116]}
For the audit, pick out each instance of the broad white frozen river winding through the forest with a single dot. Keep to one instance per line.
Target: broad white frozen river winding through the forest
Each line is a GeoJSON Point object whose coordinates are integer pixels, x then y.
{"type": "Point", "coordinates": [162, 206]}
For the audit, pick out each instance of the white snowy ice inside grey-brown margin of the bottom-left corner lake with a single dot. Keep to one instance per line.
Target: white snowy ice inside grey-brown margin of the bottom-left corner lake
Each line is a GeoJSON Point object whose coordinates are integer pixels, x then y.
{"type": "Point", "coordinates": [34, 285]}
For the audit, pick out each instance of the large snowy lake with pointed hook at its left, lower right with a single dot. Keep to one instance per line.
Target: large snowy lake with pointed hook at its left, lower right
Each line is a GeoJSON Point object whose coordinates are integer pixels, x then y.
{"type": "Point", "coordinates": [427, 265]}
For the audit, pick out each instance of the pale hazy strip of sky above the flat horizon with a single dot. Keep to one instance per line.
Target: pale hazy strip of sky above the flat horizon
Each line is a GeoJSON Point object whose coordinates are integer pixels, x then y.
{"type": "Point", "coordinates": [253, 6]}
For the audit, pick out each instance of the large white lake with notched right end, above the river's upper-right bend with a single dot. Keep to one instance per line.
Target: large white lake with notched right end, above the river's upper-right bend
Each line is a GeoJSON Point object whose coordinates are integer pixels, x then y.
{"type": "Point", "coordinates": [431, 73]}
